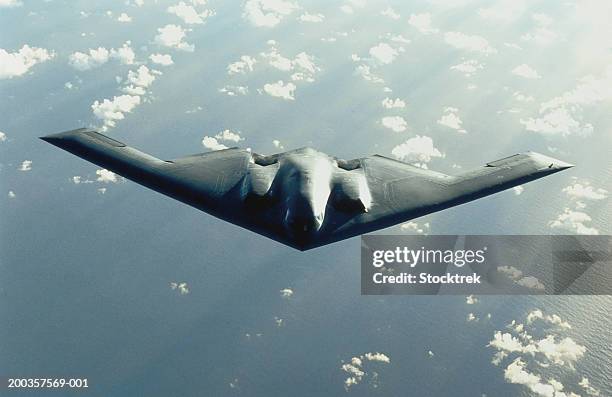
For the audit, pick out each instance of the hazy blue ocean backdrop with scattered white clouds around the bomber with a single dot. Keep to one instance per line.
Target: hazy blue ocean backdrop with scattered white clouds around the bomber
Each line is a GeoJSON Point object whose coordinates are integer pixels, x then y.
{"type": "Point", "coordinates": [102, 278]}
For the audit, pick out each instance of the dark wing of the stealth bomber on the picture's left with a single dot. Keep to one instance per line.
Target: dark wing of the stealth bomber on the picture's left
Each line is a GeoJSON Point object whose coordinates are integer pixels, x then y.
{"type": "Point", "coordinates": [211, 182]}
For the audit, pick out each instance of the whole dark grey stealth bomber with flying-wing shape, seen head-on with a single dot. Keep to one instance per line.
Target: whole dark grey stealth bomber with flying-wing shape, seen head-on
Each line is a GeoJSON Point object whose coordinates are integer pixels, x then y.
{"type": "Point", "coordinates": [304, 198]}
